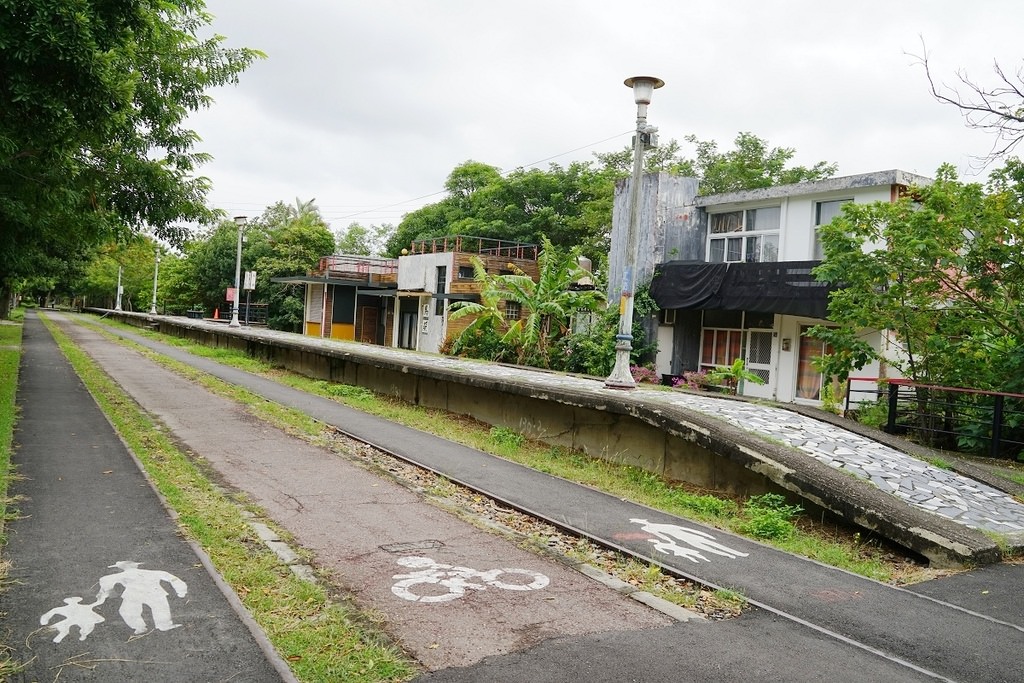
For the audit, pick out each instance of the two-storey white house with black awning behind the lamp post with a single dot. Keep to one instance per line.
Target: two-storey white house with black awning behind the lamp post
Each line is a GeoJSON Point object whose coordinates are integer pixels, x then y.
{"type": "Point", "coordinates": [733, 275]}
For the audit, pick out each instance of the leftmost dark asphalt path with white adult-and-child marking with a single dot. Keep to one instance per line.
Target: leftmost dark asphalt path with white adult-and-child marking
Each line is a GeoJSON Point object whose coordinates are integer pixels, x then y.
{"type": "Point", "coordinates": [96, 556]}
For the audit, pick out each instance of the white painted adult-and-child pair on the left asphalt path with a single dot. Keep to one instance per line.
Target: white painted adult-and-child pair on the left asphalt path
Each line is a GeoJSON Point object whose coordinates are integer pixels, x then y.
{"type": "Point", "coordinates": [140, 589]}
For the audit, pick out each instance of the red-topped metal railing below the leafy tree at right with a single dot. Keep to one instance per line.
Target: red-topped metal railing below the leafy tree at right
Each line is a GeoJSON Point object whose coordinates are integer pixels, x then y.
{"type": "Point", "coordinates": [965, 420]}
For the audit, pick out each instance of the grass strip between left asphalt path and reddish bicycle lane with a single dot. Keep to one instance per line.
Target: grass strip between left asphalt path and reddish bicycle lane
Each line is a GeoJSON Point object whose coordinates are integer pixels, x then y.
{"type": "Point", "coordinates": [321, 639]}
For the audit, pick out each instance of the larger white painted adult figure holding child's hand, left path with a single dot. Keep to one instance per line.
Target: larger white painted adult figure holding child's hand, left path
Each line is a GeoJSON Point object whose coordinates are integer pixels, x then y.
{"type": "Point", "coordinates": [142, 588]}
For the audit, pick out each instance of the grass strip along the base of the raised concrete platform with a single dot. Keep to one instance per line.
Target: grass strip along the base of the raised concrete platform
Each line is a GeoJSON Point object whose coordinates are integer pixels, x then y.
{"type": "Point", "coordinates": [805, 538]}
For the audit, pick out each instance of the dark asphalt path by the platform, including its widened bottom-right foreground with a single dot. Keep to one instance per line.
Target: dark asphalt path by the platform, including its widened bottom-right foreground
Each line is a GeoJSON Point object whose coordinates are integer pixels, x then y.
{"type": "Point", "coordinates": [817, 622]}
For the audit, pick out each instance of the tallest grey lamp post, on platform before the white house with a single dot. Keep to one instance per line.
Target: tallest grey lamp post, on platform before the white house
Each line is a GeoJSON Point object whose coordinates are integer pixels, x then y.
{"type": "Point", "coordinates": [621, 377]}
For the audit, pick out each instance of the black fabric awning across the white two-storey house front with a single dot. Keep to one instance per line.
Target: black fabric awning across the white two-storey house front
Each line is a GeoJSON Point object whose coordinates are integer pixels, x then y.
{"type": "Point", "coordinates": [783, 287]}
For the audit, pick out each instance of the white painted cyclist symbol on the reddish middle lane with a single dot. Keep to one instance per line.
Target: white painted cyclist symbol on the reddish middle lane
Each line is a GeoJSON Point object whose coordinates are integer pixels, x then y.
{"type": "Point", "coordinates": [434, 582]}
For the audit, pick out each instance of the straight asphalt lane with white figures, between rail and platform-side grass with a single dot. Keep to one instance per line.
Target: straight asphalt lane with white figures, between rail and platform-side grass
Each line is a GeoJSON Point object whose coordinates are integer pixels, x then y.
{"type": "Point", "coordinates": [928, 634]}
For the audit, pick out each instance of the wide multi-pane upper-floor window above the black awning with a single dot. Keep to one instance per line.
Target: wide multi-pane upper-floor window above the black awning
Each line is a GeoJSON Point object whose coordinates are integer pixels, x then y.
{"type": "Point", "coordinates": [750, 236]}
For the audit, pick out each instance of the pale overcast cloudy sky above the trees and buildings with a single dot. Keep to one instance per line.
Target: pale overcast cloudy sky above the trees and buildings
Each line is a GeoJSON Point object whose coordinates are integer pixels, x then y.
{"type": "Point", "coordinates": [367, 106]}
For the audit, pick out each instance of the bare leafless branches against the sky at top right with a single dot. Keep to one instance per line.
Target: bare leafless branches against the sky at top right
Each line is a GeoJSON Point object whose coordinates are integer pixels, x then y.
{"type": "Point", "coordinates": [998, 109]}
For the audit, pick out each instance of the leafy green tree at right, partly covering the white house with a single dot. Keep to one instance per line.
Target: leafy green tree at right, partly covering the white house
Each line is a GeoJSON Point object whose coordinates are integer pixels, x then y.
{"type": "Point", "coordinates": [946, 276]}
